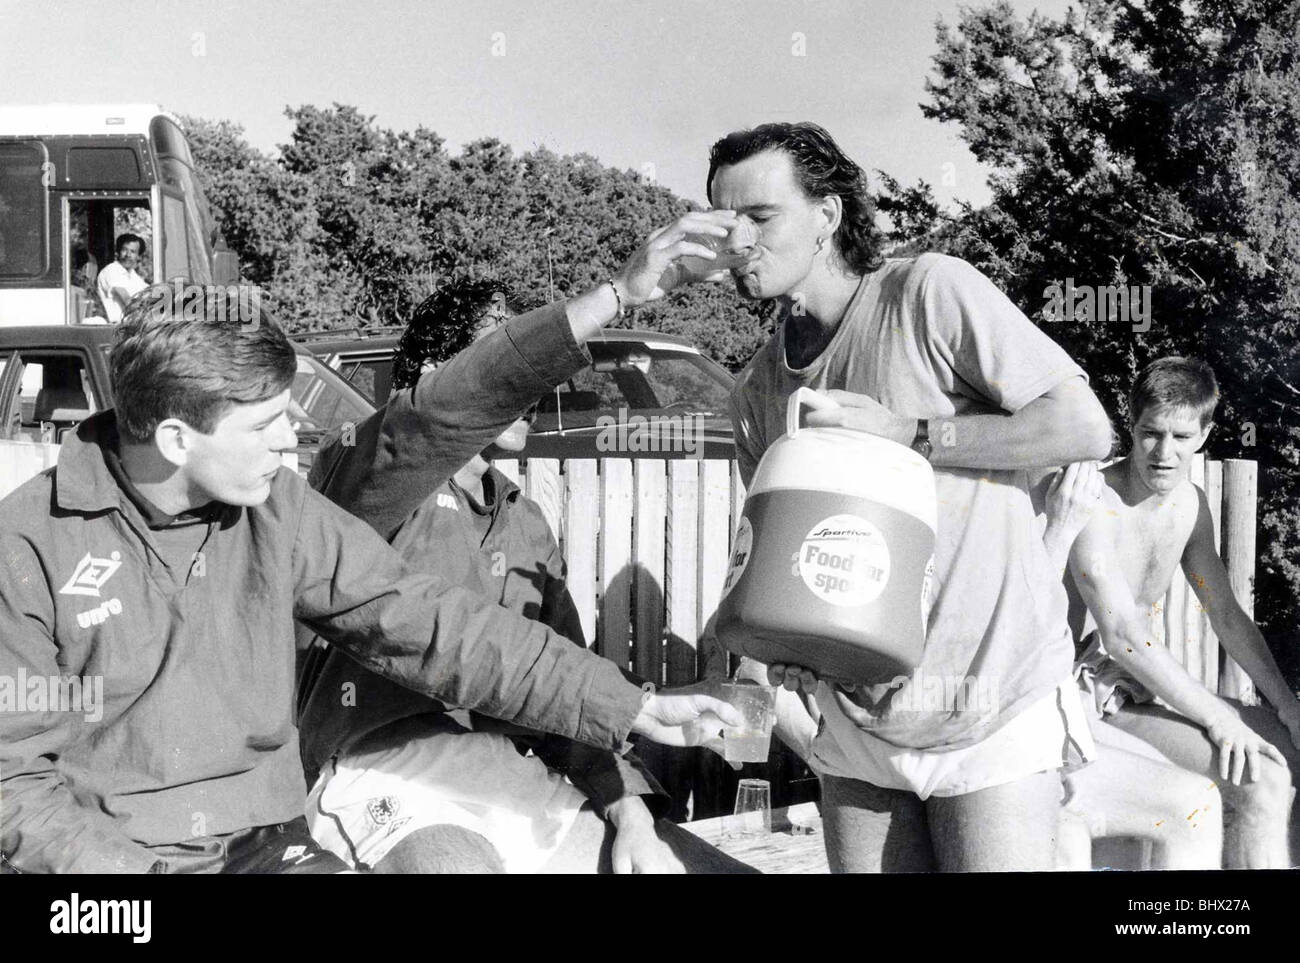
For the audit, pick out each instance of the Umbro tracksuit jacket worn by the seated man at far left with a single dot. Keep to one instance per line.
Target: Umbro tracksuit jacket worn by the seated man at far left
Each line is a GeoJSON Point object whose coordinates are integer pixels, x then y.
{"type": "Point", "coordinates": [197, 735]}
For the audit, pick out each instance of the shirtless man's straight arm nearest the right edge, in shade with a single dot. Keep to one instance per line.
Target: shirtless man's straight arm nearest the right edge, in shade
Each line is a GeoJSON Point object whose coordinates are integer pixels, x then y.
{"type": "Point", "coordinates": [1237, 631]}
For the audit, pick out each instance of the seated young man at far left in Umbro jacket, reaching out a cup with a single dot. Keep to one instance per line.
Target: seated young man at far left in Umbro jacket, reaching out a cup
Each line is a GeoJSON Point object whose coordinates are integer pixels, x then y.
{"type": "Point", "coordinates": [162, 566]}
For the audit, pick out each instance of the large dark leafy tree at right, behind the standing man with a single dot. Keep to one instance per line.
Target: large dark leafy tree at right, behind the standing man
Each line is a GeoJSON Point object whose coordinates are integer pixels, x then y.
{"type": "Point", "coordinates": [1151, 145]}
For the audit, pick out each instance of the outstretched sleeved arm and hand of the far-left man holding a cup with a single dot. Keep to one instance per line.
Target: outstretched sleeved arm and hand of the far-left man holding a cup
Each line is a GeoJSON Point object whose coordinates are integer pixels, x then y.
{"type": "Point", "coordinates": [353, 589]}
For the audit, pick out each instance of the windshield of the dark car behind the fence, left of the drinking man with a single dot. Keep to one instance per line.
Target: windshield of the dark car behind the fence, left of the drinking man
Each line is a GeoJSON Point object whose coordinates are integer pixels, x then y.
{"type": "Point", "coordinates": [648, 378]}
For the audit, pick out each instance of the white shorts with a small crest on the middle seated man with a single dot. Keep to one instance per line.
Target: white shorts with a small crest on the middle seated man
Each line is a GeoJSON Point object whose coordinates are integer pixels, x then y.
{"type": "Point", "coordinates": [365, 804]}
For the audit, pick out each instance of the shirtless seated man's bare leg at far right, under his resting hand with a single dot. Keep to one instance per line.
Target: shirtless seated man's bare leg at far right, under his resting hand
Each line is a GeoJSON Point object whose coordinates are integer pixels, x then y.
{"type": "Point", "coordinates": [1255, 814]}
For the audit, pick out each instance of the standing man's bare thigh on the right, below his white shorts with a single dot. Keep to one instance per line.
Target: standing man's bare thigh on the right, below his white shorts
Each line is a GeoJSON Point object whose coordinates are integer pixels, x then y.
{"type": "Point", "coordinates": [1004, 828]}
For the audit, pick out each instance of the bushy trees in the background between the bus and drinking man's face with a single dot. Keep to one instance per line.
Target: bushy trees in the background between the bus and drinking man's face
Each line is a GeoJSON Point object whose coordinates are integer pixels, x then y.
{"type": "Point", "coordinates": [353, 225]}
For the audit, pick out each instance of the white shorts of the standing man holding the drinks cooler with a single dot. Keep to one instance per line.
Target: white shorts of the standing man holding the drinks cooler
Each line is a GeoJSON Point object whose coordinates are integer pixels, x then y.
{"type": "Point", "coordinates": [1051, 734]}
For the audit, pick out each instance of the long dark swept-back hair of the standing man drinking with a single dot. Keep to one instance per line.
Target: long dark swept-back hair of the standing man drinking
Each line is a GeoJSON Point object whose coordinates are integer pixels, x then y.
{"type": "Point", "coordinates": [821, 168]}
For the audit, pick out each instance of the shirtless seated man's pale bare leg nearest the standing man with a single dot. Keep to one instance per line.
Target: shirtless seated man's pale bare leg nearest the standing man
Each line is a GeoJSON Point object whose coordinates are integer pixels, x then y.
{"type": "Point", "coordinates": [1129, 791]}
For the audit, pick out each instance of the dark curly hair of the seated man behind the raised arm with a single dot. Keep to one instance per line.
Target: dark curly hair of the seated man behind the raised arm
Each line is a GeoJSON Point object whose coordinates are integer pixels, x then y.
{"type": "Point", "coordinates": [443, 326]}
